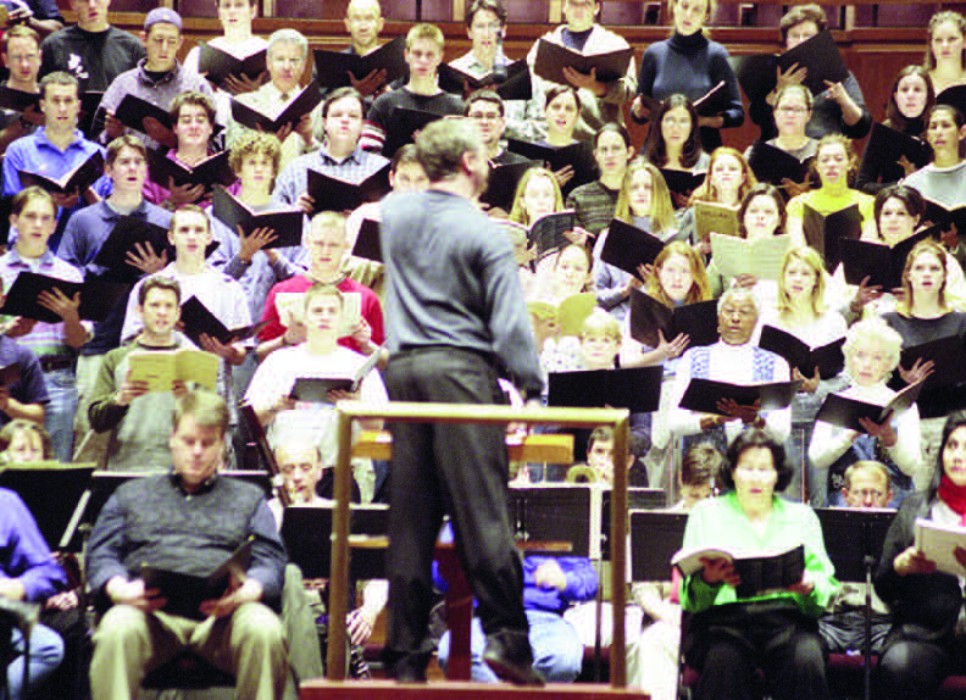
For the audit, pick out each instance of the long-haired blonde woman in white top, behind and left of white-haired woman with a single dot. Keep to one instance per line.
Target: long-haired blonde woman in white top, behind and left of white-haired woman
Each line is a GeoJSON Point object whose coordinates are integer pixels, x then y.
{"type": "Point", "coordinates": [803, 312]}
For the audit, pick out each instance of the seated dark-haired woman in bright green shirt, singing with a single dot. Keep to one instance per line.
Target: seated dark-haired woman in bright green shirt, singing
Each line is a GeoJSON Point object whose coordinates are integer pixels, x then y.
{"type": "Point", "coordinates": [736, 629]}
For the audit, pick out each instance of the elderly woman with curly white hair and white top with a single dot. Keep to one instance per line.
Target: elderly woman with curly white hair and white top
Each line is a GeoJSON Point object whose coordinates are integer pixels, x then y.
{"type": "Point", "coordinates": [871, 354]}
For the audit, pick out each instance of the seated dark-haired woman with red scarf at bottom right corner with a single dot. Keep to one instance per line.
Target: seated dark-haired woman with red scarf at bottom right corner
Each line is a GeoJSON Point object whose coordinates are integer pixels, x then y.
{"type": "Point", "coordinates": [927, 604]}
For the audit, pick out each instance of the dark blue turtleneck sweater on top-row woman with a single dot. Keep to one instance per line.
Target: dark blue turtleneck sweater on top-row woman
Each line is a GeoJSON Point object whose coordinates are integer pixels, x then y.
{"type": "Point", "coordinates": [692, 65]}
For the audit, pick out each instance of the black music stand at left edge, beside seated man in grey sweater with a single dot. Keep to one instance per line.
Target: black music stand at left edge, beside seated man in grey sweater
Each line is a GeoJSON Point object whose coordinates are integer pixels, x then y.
{"type": "Point", "coordinates": [50, 491]}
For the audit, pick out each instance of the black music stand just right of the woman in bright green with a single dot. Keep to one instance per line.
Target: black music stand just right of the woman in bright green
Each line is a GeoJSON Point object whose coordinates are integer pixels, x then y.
{"type": "Point", "coordinates": [853, 541]}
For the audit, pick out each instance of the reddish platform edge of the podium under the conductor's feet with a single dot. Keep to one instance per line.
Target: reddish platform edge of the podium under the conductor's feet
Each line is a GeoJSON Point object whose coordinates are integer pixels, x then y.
{"type": "Point", "coordinates": [452, 690]}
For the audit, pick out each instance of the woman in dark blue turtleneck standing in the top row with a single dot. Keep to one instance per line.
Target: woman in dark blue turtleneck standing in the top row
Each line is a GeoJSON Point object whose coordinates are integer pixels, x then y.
{"type": "Point", "coordinates": [690, 64]}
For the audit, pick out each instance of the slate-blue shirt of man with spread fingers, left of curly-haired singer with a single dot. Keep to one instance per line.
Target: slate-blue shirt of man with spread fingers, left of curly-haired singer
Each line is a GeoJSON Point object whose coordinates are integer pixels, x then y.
{"type": "Point", "coordinates": [83, 238]}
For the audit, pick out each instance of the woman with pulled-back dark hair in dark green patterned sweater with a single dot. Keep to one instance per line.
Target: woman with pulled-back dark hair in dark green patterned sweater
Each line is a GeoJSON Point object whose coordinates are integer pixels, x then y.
{"type": "Point", "coordinates": [596, 201]}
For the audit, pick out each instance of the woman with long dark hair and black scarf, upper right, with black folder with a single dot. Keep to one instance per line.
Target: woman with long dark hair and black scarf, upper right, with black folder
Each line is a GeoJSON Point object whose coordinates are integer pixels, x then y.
{"type": "Point", "coordinates": [910, 100]}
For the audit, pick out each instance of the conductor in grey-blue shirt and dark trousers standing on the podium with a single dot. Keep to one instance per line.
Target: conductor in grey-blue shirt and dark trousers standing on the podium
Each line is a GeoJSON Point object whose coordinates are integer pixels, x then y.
{"type": "Point", "coordinates": [456, 318]}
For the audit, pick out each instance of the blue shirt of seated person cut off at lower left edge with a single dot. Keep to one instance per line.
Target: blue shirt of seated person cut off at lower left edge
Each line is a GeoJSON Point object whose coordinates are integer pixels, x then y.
{"type": "Point", "coordinates": [24, 554]}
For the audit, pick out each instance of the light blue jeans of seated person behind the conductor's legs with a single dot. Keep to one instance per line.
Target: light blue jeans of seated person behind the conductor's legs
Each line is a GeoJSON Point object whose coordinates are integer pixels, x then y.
{"type": "Point", "coordinates": [557, 651]}
